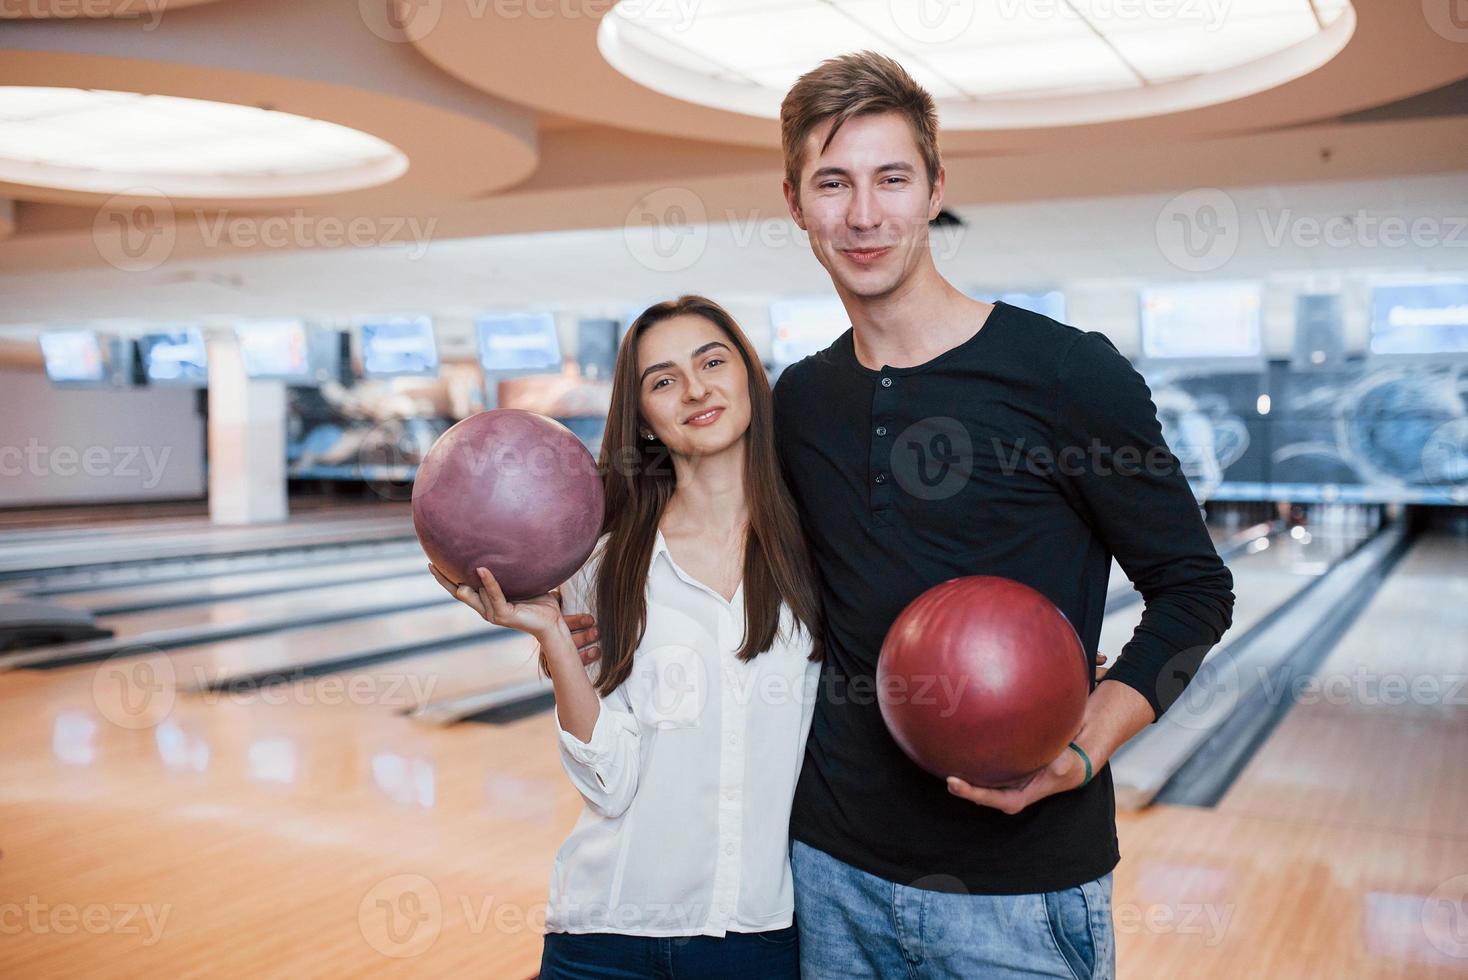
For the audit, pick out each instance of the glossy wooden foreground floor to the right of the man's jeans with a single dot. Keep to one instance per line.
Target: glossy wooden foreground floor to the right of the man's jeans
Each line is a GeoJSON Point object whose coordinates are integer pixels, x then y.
{"type": "Point", "coordinates": [1212, 894]}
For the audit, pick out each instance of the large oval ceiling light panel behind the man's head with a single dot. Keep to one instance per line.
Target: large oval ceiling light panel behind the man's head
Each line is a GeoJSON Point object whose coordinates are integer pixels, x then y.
{"type": "Point", "coordinates": [1011, 64]}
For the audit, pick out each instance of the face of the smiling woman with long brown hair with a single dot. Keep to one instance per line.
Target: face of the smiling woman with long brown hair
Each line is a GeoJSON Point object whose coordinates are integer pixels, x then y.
{"type": "Point", "coordinates": [694, 387]}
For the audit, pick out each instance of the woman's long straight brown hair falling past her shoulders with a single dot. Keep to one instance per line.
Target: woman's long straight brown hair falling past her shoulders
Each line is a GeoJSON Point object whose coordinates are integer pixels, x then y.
{"type": "Point", "coordinates": [639, 479]}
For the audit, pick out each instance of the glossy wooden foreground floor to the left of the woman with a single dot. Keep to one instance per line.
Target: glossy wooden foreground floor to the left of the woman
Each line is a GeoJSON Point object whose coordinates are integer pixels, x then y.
{"type": "Point", "coordinates": [271, 840]}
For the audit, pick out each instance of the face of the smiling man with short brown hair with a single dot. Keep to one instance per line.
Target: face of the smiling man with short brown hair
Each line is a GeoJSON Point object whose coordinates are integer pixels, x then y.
{"type": "Point", "coordinates": [865, 203]}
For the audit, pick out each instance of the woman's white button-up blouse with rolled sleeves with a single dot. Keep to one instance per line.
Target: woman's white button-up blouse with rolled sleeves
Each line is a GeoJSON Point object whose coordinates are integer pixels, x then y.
{"type": "Point", "coordinates": [691, 772]}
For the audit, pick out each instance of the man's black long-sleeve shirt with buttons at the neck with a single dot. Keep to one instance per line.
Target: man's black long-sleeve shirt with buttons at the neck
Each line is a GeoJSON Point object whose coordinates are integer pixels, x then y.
{"type": "Point", "coordinates": [1031, 451]}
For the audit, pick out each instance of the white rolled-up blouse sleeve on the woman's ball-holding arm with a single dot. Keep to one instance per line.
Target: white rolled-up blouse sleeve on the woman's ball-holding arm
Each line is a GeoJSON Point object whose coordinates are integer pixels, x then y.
{"type": "Point", "coordinates": [604, 769]}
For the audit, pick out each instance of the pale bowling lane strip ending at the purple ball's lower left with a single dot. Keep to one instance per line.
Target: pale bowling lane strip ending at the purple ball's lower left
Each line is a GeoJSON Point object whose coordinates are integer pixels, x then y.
{"type": "Point", "coordinates": [305, 602]}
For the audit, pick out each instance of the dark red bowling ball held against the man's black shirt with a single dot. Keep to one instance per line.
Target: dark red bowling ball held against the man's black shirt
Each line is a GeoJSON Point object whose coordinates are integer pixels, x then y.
{"type": "Point", "coordinates": [983, 679]}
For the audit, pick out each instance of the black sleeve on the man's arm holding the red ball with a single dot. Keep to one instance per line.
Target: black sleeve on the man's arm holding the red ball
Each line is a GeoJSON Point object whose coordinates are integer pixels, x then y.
{"type": "Point", "coordinates": [1133, 491]}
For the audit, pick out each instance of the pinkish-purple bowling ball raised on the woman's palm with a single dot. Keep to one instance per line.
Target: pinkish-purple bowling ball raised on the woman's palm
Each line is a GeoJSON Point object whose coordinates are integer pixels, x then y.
{"type": "Point", "coordinates": [513, 492]}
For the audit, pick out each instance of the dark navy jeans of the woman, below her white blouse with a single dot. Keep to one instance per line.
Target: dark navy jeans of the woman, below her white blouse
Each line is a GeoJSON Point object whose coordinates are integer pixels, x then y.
{"type": "Point", "coordinates": [768, 956]}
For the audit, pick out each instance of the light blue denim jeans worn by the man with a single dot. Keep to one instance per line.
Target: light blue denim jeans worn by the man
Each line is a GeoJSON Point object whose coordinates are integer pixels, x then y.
{"type": "Point", "coordinates": [857, 925]}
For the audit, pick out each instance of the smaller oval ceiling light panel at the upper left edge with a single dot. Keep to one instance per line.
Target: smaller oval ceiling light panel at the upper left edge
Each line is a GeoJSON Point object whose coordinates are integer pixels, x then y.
{"type": "Point", "coordinates": [120, 143]}
